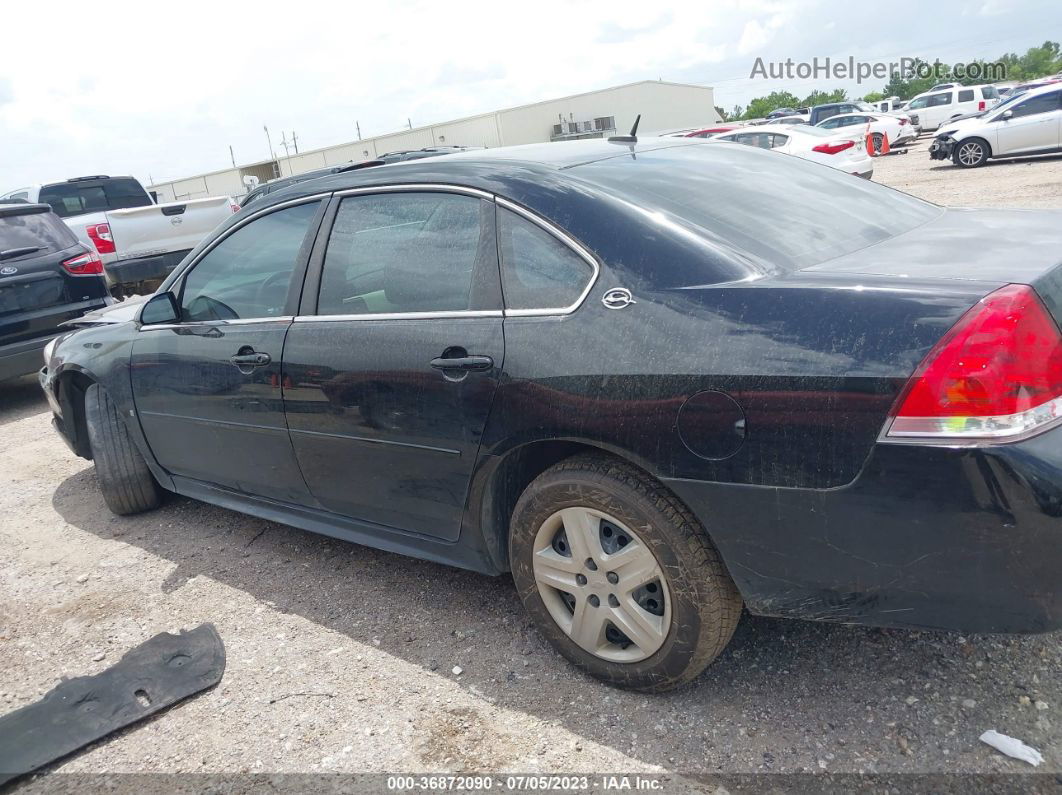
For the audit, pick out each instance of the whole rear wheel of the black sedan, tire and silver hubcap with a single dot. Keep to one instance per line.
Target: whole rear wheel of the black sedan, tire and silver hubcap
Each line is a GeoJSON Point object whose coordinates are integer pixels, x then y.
{"type": "Point", "coordinates": [620, 577]}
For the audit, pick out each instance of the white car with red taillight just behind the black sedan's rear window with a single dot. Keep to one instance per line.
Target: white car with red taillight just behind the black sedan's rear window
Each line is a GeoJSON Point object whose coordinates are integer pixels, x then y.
{"type": "Point", "coordinates": [845, 152]}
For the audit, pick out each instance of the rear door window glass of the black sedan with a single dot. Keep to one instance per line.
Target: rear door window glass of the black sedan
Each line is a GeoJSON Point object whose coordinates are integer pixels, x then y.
{"type": "Point", "coordinates": [404, 252]}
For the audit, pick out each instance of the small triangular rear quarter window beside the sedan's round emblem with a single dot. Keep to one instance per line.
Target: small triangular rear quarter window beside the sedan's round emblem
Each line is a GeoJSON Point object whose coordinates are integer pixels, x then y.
{"type": "Point", "coordinates": [538, 270]}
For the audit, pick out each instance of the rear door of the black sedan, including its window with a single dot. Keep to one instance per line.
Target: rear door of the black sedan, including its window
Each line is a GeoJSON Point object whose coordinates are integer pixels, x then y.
{"type": "Point", "coordinates": [393, 362]}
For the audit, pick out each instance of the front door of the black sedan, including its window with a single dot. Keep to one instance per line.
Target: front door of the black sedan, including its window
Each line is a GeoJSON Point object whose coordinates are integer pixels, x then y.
{"type": "Point", "coordinates": [209, 389]}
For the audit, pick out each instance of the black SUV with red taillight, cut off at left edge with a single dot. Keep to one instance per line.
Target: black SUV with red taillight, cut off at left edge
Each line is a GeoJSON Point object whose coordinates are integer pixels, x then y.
{"type": "Point", "coordinates": [46, 278]}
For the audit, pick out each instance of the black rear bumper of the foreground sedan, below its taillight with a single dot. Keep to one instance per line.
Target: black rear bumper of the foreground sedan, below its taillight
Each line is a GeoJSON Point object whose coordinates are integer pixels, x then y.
{"type": "Point", "coordinates": [928, 538]}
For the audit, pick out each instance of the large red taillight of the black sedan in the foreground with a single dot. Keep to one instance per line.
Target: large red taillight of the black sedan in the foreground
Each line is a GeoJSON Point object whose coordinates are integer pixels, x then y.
{"type": "Point", "coordinates": [997, 375]}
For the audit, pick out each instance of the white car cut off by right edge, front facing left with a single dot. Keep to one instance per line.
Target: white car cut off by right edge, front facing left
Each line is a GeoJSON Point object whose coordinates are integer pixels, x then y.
{"type": "Point", "coordinates": [1030, 125]}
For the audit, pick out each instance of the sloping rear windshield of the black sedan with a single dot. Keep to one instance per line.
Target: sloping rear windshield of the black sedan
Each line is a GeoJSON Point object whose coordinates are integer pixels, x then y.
{"type": "Point", "coordinates": [777, 209]}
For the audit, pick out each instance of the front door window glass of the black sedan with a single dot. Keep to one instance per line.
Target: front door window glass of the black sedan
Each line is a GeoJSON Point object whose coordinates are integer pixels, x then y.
{"type": "Point", "coordinates": [248, 274]}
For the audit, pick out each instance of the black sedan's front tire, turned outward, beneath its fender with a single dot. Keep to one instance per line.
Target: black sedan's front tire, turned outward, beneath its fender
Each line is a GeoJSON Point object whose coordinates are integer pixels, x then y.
{"type": "Point", "coordinates": [128, 486]}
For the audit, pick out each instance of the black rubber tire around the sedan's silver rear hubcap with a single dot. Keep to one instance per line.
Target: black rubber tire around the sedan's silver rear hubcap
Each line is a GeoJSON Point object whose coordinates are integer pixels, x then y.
{"type": "Point", "coordinates": [706, 606]}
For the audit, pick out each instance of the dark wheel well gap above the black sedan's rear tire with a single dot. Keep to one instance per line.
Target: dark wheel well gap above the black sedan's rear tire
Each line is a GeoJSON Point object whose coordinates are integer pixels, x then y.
{"type": "Point", "coordinates": [513, 476]}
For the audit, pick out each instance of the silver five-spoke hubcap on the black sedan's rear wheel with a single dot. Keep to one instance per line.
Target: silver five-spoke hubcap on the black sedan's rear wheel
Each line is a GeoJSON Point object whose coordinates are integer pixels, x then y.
{"type": "Point", "coordinates": [603, 585]}
